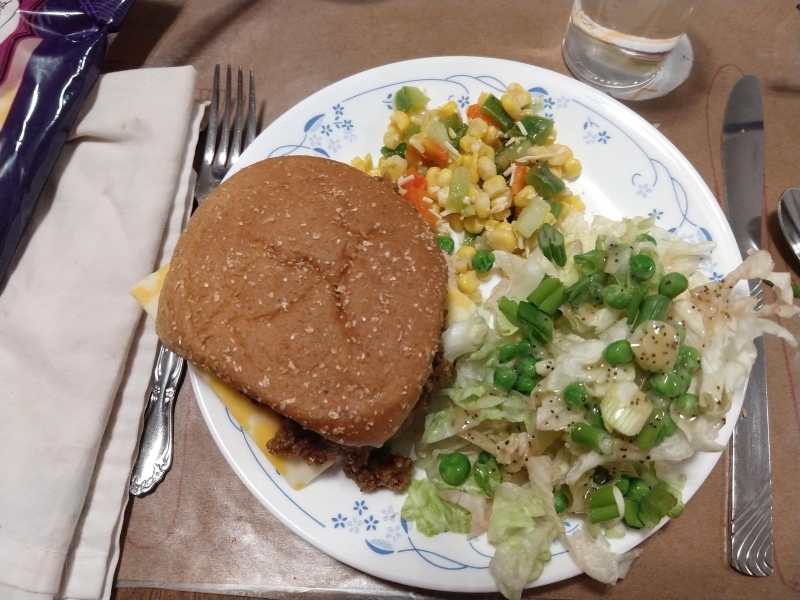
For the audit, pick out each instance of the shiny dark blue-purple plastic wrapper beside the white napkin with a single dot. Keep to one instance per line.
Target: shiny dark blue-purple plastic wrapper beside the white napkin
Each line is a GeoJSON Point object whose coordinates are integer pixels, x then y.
{"type": "Point", "coordinates": [51, 52]}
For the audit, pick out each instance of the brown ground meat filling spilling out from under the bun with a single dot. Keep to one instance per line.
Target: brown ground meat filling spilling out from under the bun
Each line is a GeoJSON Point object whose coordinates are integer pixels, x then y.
{"type": "Point", "coordinates": [370, 468]}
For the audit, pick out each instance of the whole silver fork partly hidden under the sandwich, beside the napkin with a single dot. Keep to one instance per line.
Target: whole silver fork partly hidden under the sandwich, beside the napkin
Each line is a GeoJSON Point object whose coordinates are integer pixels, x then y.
{"type": "Point", "coordinates": [155, 447]}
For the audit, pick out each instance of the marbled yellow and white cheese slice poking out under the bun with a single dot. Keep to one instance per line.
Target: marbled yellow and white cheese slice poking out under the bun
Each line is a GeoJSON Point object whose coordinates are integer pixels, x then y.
{"type": "Point", "coordinates": [258, 421]}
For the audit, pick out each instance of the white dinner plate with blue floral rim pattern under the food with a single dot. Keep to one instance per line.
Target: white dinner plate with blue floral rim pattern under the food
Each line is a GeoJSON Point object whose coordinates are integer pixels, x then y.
{"type": "Point", "coordinates": [629, 169]}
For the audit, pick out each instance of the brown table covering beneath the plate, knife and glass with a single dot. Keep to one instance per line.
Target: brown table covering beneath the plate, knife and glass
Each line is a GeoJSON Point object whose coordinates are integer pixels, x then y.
{"type": "Point", "coordinates": [203, 531]}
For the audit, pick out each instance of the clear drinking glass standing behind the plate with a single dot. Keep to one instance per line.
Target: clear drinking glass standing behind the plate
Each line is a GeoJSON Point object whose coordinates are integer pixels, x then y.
{"type": "Point", "coordinates": [620, 45]}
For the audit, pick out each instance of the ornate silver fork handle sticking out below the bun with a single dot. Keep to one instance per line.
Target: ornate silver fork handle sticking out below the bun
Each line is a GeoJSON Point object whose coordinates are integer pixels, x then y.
{"type": "Point", "coordinates": [155, 448]}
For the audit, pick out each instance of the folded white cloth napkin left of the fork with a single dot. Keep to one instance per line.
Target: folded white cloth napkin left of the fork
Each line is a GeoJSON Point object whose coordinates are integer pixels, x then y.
{"type": "Point", "coordinates": [75, 351]}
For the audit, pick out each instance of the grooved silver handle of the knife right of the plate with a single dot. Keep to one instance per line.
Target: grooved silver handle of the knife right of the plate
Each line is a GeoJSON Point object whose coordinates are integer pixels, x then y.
{"type": "Point", "coordinates": [751, 489]}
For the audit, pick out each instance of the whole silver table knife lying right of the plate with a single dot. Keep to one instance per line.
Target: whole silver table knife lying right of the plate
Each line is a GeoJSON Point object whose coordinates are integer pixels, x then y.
{"type": "Point", "coordinates": [751, 498]}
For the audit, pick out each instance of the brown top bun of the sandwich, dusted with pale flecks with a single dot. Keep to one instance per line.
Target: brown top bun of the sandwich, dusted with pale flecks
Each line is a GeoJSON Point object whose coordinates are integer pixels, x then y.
{"type": "Point", "coordinates": [313, 288]}
